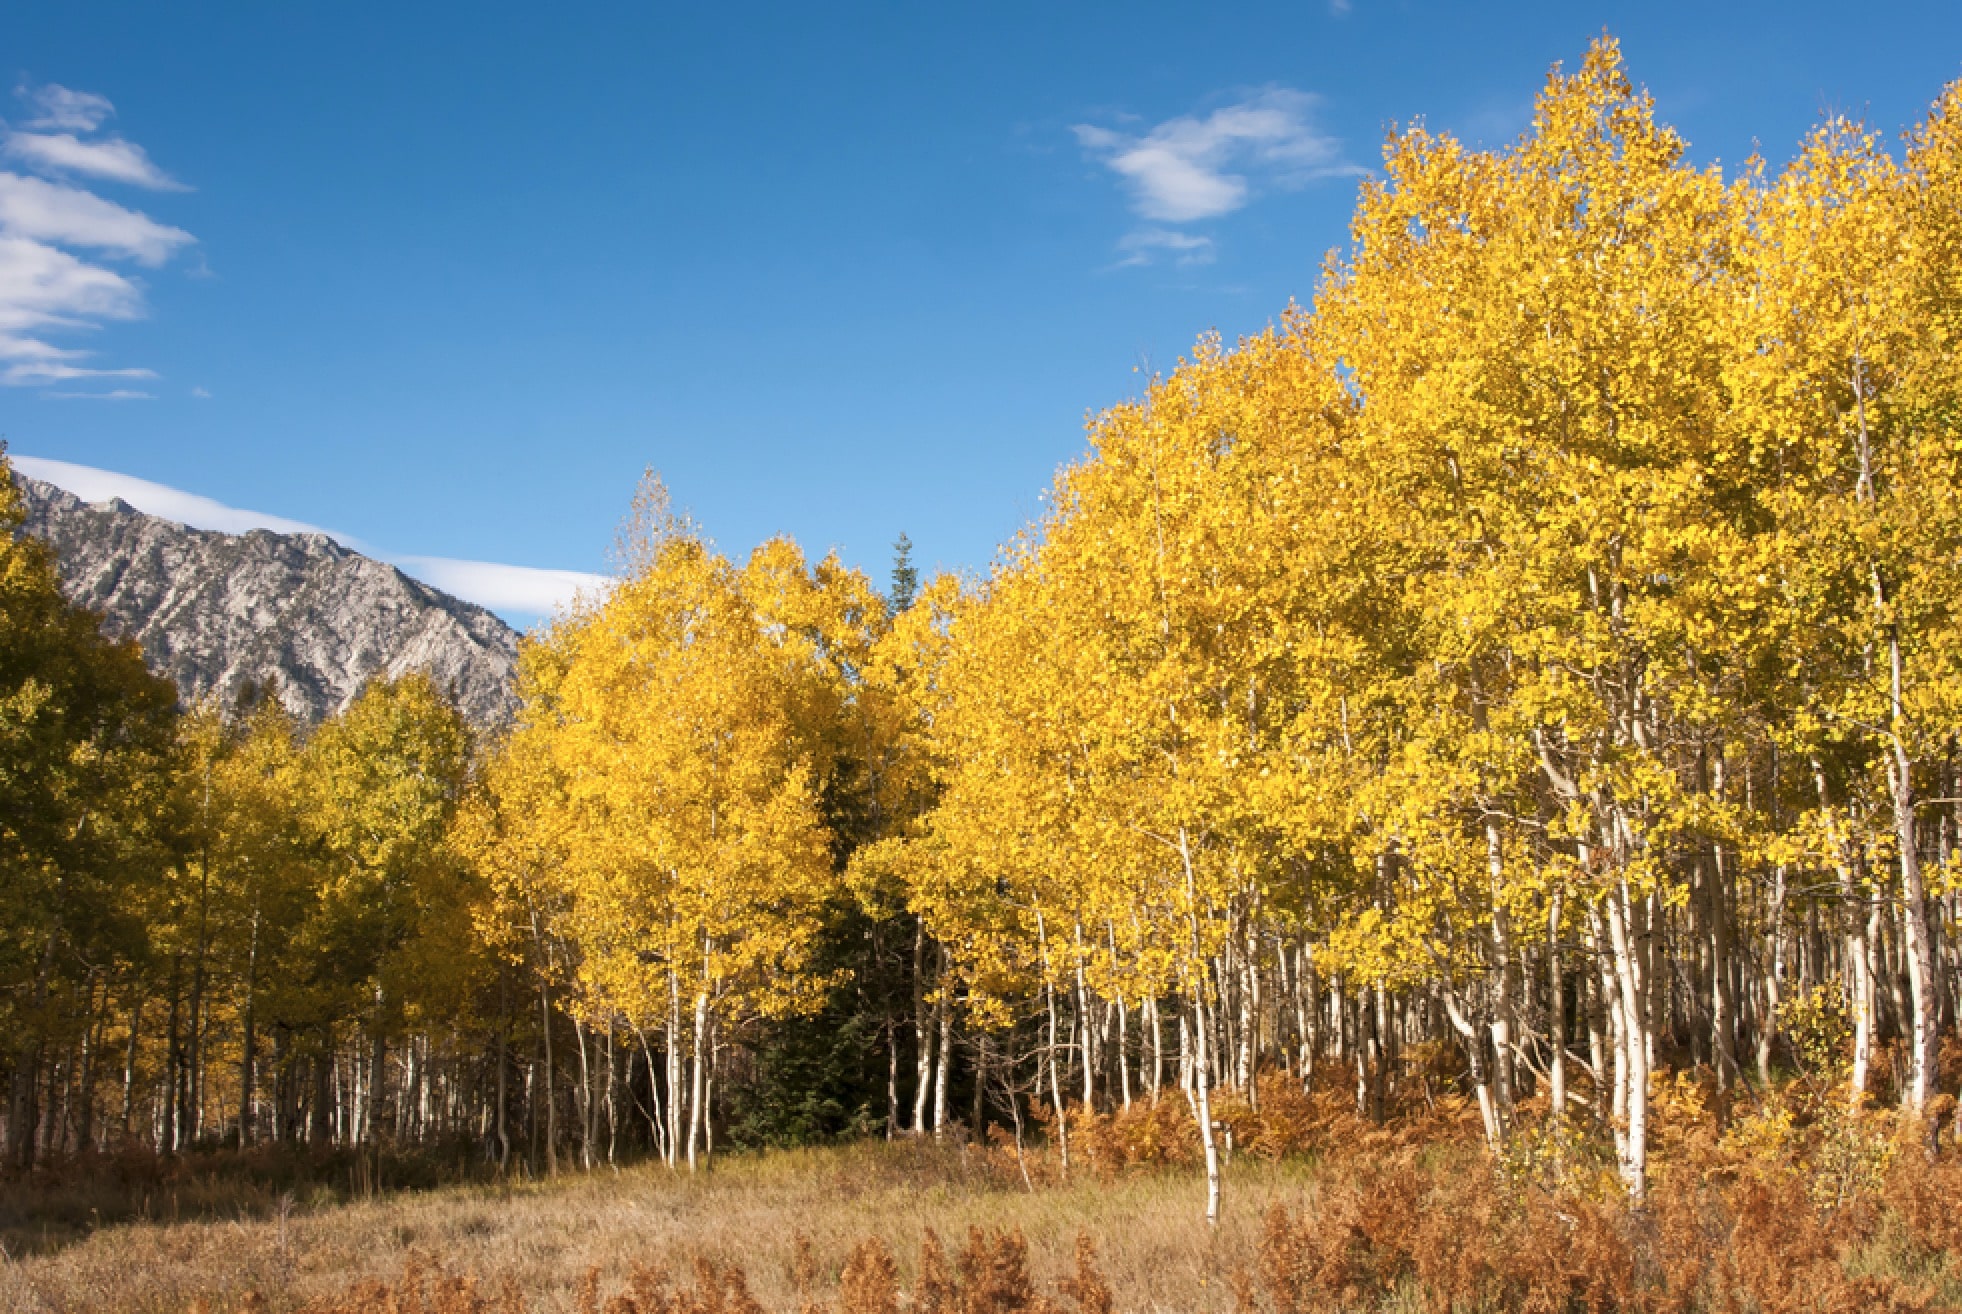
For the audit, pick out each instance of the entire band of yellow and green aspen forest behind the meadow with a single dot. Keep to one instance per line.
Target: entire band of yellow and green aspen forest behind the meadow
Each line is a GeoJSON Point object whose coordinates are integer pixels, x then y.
{"type": "Point", "coordinates": [1545, 650]}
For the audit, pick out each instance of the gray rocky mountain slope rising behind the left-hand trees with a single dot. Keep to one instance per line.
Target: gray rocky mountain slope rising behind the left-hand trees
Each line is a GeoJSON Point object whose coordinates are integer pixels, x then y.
{"type": "Point", "coordinates": [221, 611]}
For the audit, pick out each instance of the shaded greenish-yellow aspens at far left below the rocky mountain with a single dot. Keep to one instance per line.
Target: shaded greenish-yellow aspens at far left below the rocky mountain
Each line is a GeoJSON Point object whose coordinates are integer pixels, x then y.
{"type": "Point", "coordinates": [211, 929]}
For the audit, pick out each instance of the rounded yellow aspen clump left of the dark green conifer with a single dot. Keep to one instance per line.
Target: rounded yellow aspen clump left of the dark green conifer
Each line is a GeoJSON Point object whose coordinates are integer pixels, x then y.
{"type": "Point", "coordinates": [660, 809]}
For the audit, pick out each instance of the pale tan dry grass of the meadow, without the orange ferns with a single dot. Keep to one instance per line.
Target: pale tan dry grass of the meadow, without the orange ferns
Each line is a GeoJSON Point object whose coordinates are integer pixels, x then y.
{"type": "Point", "coordinates": [749, 1211]}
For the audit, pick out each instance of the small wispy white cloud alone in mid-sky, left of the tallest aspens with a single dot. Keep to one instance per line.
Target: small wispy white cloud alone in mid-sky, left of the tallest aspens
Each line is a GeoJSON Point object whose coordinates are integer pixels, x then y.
{"type": "Point", "coordinates": [1204, 168]}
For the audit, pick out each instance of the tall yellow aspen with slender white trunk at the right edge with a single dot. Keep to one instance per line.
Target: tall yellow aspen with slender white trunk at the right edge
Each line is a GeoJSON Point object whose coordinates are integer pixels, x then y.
{"type": "Point", "coordinates": [1843, 395]}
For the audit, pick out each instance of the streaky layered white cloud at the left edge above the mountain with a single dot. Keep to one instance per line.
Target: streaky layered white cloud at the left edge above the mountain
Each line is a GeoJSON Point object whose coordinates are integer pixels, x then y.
{"type": "Point", "coordinates": [46, 289]}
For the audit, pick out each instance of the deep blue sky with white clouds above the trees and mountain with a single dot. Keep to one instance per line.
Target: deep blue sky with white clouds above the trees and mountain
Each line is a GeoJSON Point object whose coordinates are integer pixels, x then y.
{"type": "Point", "coordinates": [446, 279]}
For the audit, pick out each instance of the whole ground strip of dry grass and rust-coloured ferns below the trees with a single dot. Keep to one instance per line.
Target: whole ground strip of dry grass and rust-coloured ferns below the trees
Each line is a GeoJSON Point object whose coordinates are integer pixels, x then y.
{"type": "Point", "coordinates": [1777, 1211]}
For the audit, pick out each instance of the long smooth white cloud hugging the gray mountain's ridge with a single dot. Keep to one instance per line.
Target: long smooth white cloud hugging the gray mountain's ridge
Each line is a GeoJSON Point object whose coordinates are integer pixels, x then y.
{"type": "Point", "coordinates": [511, 589]}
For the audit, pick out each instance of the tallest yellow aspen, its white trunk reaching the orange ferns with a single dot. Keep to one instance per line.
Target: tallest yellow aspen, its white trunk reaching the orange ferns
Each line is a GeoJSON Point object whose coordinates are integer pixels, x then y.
{"type": "Point", "coordinates": [1557, 411]}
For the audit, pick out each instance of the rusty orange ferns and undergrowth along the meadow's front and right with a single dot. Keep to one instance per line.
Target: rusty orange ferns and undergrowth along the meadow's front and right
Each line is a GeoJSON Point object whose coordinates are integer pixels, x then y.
{"type": "Point", "coordinates": [1782, 1203]}
